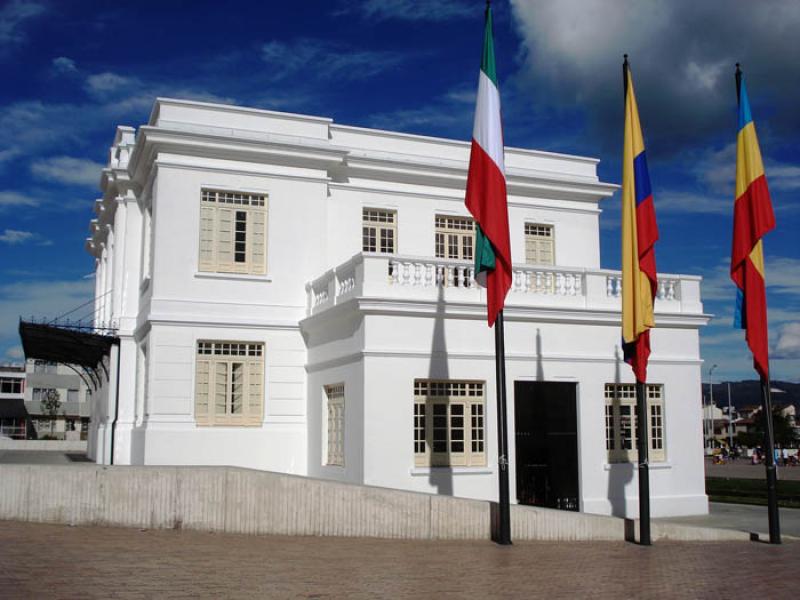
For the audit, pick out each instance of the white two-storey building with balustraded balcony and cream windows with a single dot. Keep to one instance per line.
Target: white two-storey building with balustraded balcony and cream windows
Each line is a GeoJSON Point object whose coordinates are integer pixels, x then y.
{"type": "Point", "coordinates": [295, 295]}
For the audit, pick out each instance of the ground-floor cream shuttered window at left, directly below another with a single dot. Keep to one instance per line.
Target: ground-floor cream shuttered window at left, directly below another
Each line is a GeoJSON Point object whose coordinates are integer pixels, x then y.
{"type": "Point", "coordinates": [229, 375]}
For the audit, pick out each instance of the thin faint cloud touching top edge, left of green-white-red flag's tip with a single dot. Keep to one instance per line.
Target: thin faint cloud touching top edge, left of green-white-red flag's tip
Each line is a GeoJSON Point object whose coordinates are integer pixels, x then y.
{"type": "Point", "coordinates": [411, 10]}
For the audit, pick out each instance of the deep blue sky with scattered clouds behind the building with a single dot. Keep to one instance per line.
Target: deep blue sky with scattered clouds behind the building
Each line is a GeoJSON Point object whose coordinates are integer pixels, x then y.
{"type": "Point", "coordinates": [72, 71]}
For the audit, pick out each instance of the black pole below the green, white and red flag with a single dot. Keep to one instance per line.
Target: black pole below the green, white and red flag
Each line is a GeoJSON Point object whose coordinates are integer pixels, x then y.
{"type": "Point", "coordinates": [503, 536]}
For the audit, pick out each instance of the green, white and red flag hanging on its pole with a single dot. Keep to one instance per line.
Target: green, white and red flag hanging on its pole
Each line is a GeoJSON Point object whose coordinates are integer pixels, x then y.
{"type": "Point", "coordinates": [486, 185]}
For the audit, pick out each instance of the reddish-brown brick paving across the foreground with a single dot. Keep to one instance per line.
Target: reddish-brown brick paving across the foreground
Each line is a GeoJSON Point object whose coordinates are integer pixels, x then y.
{"type": "Point", "coordinates": [55, 561]}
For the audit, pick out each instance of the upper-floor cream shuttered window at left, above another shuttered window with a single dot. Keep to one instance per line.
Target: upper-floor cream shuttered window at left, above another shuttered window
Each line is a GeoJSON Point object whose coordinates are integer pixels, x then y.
{"type": "Point", "coordinates": [233, 229]}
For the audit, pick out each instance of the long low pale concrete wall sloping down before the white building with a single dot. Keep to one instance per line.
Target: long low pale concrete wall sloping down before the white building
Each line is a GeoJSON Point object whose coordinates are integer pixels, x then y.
{"type": "Point", "coordinates": [234, 500]}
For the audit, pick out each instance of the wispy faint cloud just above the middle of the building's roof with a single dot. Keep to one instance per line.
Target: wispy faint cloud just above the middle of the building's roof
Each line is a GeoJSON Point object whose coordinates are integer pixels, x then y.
{"type": "Point", "coordinates": [323, 60]}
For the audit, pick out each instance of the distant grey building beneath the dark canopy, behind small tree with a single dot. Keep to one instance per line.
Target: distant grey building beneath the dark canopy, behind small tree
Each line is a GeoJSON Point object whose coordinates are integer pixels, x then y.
{"type": "Point", "coordinates": [71, 419]}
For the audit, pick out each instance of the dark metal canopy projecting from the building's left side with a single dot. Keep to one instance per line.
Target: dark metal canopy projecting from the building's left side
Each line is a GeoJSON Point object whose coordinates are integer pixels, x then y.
{"type": "Point", "coordinates": [71, 346]}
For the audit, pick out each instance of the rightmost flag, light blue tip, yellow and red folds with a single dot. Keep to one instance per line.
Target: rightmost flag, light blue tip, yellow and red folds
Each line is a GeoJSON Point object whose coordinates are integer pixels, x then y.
{"type": "Point", "coordinates": [752, 218]}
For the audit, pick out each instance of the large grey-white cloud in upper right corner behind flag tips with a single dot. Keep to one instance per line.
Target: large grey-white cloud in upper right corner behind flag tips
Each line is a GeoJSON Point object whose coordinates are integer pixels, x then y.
{"type": "Point", "coordinates": [572, 53]}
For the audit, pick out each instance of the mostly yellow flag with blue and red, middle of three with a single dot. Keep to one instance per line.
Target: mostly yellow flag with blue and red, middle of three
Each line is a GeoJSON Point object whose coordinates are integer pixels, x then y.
{"type": "Point", "coordinates": [639, 235]}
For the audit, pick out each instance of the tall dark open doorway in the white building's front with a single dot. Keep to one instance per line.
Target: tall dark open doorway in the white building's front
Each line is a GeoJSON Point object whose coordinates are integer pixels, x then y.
{"type": "Point", "coordinates": [547, 444]}
